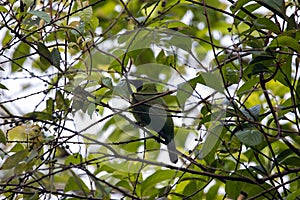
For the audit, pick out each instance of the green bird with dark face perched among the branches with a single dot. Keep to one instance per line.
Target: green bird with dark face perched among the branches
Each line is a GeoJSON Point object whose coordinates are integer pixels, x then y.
{"type": "Point", "coordinates": [152, 114]}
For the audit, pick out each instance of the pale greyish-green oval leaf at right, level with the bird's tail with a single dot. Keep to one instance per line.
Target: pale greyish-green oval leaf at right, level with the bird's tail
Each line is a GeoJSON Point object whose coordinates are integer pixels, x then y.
{"type": "Point", "coordinates": [250, 137]}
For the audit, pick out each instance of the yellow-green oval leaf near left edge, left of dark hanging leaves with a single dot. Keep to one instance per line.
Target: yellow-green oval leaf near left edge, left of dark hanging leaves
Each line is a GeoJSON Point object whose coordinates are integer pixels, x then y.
{"type": "Point", "coordinates": [19, 56]}
